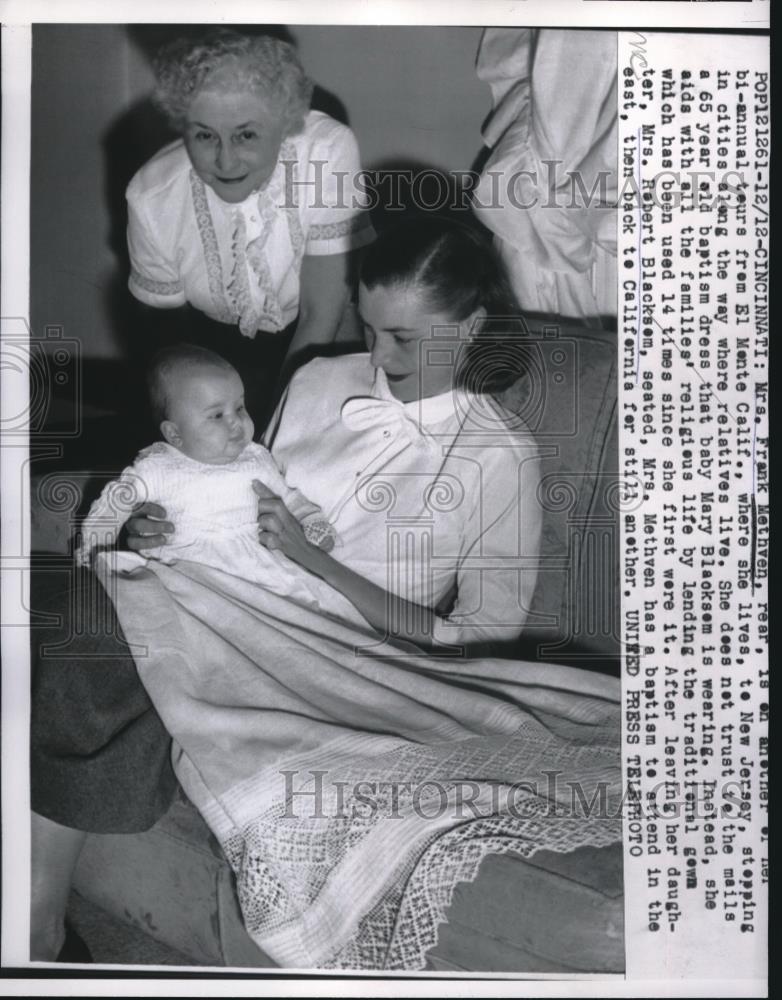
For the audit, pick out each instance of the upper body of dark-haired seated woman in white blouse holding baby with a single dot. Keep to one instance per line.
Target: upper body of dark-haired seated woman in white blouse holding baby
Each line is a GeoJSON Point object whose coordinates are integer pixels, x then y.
{"type": "Point", "coordinates": [415, 416]}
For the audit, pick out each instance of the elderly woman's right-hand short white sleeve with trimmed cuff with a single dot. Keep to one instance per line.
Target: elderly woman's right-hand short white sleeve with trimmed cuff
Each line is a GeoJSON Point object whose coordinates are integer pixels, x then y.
{"type": "Point", "coordinates": [336, 214]}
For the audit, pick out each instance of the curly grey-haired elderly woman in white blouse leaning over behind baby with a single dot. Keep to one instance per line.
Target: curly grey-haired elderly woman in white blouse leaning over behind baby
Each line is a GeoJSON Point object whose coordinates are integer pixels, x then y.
{"type": "Point", "coordinates": [251, 216]}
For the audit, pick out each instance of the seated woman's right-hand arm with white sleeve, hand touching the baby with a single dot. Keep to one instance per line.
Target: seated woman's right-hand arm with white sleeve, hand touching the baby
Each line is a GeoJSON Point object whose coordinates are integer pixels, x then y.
{"type": "Point", "coordinates": [494, 575]}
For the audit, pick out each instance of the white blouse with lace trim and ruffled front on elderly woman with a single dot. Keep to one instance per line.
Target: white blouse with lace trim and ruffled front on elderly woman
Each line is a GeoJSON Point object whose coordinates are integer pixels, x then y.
{"type": "Point", "coordinates": [241, 263]}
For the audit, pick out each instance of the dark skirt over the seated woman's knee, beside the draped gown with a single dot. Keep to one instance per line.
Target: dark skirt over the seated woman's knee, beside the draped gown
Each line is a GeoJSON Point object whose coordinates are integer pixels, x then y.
{"type": "Point", "coordinates": [100, 758]}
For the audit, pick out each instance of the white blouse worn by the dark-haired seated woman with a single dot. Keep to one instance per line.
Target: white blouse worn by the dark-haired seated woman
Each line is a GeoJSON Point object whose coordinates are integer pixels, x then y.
{"type": "Point", "coordinates": [418, 493]}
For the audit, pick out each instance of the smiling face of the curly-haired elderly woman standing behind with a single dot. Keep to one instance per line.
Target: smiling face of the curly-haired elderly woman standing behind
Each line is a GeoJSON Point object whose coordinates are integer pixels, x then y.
{"type": "Point", "coordinates": [233, 141]}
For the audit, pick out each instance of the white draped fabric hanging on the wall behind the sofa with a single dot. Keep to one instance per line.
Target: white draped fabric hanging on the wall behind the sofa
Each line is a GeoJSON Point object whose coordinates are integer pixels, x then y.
{"type": "Point", "coordinates": [552, 132]}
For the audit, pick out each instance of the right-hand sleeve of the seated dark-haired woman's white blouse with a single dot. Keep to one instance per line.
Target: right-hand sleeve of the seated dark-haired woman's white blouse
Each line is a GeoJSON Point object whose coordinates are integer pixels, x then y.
{"type": "Point", "coordinates": [497, 568]}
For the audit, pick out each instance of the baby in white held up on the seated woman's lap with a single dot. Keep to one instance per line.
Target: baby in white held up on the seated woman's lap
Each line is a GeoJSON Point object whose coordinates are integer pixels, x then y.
{"type": "Point", "coordinates": [202, 474]}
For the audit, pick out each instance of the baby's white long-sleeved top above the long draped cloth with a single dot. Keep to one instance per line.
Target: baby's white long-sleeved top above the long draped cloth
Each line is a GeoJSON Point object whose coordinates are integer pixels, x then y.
{"type": "Point", "coordinates": [214, 511]}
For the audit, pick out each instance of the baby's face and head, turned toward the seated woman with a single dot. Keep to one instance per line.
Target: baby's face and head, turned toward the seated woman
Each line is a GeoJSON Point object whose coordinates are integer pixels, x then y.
{"type": "Point", "coordinates": [207, 419]}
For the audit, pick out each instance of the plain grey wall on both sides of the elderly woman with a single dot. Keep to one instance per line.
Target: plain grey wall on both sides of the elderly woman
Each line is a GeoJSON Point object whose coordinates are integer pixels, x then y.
{"type": "Point", "coordinates": [410, 95]}
